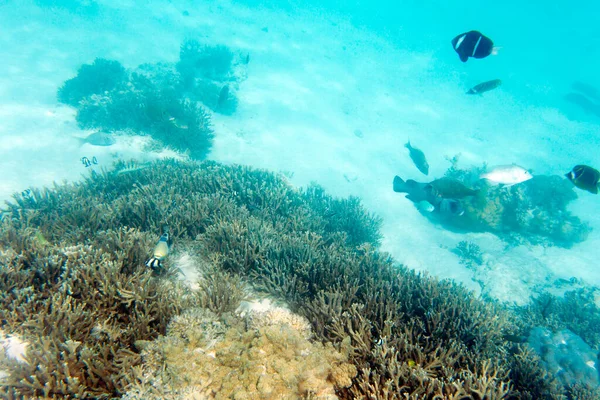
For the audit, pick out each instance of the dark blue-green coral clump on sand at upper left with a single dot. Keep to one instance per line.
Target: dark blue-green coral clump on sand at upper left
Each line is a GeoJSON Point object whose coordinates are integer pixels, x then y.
{"type": "Point", "coordinates": [166, 101]}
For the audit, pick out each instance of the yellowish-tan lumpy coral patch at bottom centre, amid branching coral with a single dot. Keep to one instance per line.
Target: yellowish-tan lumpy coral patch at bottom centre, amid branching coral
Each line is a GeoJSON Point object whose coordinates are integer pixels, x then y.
{"type": "Point", "coordinates": [210, 357]}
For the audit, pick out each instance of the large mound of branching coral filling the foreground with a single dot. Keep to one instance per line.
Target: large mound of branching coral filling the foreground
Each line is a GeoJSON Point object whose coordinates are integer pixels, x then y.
{"type": "Point", "coordinates": [74, 284]}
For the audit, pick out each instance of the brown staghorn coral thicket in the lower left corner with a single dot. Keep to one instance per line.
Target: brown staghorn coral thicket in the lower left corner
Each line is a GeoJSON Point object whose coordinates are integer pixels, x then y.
{"type": "Point", "coordinates": [81, 308]}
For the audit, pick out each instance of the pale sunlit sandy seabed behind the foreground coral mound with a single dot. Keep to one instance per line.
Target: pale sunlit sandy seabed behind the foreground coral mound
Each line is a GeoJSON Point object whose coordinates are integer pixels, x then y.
{"type": "Point", "coordinates": [313, 79]}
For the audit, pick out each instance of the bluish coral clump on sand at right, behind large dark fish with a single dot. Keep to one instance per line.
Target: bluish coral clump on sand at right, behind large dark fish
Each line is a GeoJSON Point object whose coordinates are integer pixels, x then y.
{"type": "Point", "coordinates": [534, 211]}
